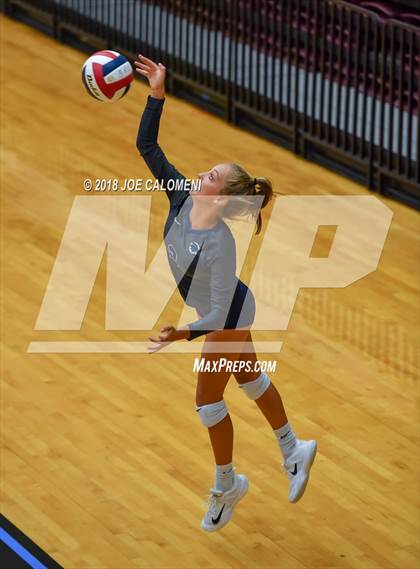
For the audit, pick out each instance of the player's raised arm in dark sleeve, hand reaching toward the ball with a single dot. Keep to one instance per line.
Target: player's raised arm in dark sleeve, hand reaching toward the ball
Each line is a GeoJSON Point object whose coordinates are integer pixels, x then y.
{"type": "Point", "coordinates": [149, 125]}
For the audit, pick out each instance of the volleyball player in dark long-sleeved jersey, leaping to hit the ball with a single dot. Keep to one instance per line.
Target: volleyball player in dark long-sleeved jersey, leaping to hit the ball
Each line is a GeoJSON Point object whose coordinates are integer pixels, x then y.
{"type": "Point", "coordinates": [200, 245]}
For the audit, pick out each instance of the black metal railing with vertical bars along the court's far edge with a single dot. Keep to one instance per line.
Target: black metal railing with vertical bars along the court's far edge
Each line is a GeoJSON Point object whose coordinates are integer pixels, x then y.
{"type": "Point", "coordinates": [326, 78]}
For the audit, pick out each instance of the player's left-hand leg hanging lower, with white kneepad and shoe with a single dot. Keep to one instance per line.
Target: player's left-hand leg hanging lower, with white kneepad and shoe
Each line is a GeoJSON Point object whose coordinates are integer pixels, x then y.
{"type": "Point", "coordinates": [229, 487]}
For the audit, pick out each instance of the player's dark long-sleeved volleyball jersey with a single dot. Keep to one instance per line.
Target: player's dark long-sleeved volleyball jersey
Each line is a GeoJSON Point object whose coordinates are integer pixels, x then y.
{"type": "Point", "coordinates": [202, 261]}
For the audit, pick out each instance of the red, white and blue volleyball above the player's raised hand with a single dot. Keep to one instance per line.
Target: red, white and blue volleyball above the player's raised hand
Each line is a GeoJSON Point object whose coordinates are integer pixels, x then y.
{"type": "Point", "coordinates": [107, 75]}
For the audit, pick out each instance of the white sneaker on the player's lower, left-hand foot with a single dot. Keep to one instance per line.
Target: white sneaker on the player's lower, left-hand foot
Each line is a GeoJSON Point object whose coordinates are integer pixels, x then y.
{"type": "Point", "coordinates": [221, 504]}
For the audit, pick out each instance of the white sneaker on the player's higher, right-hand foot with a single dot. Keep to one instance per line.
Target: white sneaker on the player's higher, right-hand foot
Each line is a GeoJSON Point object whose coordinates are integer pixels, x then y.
{"type": "Point", "coordinates": [297, 467]}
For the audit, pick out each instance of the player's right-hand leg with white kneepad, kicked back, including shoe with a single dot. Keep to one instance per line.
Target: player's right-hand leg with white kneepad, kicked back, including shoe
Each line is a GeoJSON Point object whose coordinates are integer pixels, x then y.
{"type": "Point", "coordinates": [298, 455]}
